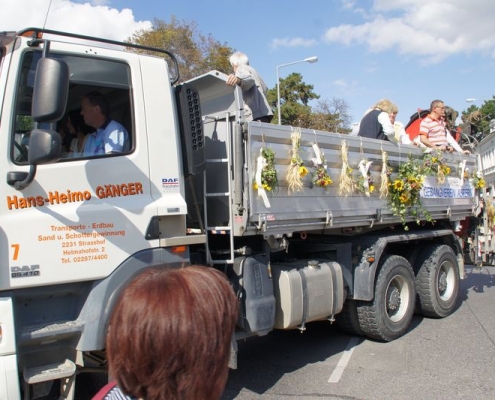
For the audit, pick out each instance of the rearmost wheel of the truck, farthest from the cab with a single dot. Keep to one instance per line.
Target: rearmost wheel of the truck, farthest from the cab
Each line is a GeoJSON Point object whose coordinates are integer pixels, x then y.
{"type": "Point", "coordinates": [437, 281]}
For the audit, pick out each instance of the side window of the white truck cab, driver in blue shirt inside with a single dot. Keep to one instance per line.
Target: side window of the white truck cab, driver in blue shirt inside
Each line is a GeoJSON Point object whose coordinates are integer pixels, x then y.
{"type": "Point", "coordinates": [110, 79]}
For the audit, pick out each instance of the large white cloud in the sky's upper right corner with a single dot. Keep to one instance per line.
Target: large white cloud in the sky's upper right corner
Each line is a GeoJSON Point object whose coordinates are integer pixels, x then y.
{"type": "Point", "coordinates": [430, 29]}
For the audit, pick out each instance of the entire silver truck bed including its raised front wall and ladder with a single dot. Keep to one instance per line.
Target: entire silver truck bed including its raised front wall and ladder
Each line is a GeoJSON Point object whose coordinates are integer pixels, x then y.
{"type": "Point", "coordinates": [232, 148]}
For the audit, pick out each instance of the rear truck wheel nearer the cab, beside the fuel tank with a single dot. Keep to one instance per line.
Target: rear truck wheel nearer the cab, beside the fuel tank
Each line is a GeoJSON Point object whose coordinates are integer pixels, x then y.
{"type": "Point", "coordinates": [389, 314]}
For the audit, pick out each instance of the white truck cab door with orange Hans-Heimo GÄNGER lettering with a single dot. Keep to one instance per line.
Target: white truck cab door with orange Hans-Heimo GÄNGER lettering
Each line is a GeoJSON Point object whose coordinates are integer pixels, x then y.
{"type": "Point", "coordinates": [84, 215]}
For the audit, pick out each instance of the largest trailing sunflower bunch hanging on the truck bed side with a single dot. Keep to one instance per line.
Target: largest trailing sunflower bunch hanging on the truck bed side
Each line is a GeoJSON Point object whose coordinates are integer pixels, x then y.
{"type": "Point", "coordinates": [404, 192]}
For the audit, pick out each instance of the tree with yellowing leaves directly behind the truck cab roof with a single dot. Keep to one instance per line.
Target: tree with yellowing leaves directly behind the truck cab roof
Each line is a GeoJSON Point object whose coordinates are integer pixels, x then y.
{"type": "Point", "coordinates": [195, 53]}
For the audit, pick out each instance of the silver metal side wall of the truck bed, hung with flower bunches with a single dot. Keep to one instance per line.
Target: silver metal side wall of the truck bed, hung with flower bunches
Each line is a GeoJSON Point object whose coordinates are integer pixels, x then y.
{"type": "Point", "coordinates": [315, 207]}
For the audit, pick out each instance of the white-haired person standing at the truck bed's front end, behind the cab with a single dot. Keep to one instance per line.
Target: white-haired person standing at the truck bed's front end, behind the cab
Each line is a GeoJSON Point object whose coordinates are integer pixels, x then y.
{"type": "Point", "coordinates": [253, 87]}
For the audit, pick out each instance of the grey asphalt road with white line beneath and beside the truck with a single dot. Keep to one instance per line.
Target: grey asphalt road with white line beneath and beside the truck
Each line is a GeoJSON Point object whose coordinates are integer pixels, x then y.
{"type": "Point", "coordinates": [450, 358]}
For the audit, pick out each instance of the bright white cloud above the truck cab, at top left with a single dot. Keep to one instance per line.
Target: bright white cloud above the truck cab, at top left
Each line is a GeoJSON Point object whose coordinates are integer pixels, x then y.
{"type": "Point", "coordinates": [75, 17]}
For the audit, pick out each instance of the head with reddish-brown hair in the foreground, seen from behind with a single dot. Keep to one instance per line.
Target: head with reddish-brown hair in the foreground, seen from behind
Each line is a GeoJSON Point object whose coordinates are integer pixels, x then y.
{"type": "Point", "coordinates": [170, 334]}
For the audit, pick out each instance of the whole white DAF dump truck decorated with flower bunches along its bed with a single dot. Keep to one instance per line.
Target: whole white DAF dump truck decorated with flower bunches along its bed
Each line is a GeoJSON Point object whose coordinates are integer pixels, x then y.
{"type": "Point", "coordinates": [303, 223]}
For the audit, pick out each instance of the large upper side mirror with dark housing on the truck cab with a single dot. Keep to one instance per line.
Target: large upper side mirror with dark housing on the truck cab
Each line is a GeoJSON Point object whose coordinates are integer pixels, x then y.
{"type": "Point", "coordinates": [51, 90]}
